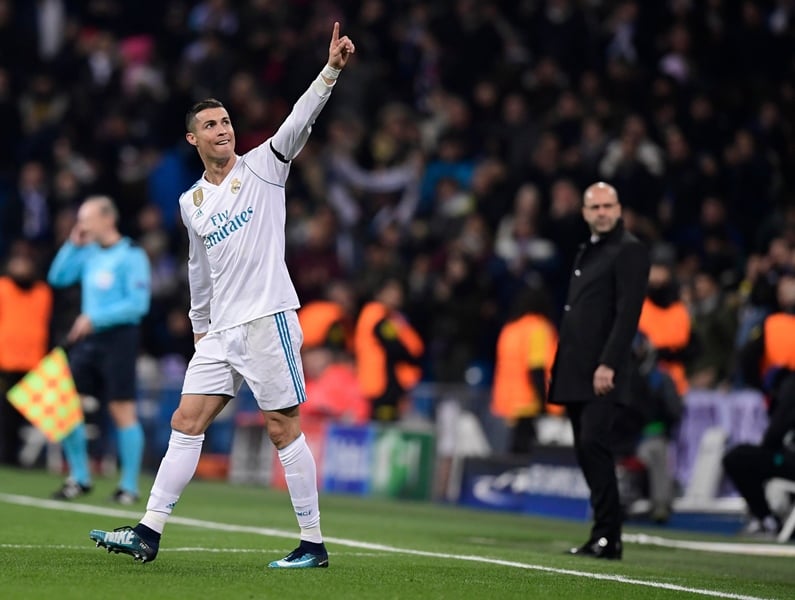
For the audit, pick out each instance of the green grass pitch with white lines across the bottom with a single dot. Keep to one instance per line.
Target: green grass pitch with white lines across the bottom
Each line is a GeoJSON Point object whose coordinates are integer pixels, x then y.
{"type": "Point", "coordinates": [379, 549]}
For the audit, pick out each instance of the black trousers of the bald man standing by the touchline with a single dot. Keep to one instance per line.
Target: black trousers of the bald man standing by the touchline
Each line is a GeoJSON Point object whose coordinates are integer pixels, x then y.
{"type": "Point", "coordinates": [592, 424]}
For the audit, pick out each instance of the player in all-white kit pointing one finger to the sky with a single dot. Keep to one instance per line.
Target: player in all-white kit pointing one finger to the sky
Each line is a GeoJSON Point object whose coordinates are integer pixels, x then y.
{"type": "Point", "coordinates": [243, 309]}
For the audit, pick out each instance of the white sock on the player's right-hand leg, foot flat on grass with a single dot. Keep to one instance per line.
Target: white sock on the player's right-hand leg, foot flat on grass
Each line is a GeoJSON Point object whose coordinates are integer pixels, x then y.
{"type": "Point", "coordinates": [301, 475]}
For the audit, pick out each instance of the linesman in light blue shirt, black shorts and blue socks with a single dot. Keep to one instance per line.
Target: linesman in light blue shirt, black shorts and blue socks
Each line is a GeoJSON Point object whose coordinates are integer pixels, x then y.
{"type": "Point", "coordinates": [115, 293]}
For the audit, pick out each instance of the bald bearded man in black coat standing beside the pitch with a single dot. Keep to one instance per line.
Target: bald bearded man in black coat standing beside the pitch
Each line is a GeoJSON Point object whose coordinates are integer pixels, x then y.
{"type": "Point", "coordinates": [591, 372]}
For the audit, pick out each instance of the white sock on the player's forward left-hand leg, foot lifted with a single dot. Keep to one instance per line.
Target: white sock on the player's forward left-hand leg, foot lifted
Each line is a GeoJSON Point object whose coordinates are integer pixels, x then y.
{"type": "Point", "coordinates": [175, 472]}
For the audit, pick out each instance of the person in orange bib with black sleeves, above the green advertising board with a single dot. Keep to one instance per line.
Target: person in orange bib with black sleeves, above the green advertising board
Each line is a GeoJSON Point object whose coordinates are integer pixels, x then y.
{"type": "Point", "coordinates": [388, 352]}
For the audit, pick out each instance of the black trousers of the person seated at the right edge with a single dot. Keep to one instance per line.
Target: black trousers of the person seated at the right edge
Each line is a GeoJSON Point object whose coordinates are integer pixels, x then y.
{"type": "Point", "coordinates": [750, 467]}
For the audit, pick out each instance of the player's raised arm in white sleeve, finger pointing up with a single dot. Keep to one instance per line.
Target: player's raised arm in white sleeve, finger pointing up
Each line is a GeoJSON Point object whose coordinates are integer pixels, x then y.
{"type": "Point", "coordinates": [294, 132]}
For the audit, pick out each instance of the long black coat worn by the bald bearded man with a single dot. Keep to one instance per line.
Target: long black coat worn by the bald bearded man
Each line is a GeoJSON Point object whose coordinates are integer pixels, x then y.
{"type": "Point", "coordinates": [600, 318]}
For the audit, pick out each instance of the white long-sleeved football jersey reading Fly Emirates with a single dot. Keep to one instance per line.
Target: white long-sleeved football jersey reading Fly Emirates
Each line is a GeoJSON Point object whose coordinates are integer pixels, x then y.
{"type": "Point", "coordinates": [236, 265]}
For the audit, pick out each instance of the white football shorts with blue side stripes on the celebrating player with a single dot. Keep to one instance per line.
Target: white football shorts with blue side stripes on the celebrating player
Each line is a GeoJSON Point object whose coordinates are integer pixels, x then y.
{"type": "Point", "coordinates": [264, 352]}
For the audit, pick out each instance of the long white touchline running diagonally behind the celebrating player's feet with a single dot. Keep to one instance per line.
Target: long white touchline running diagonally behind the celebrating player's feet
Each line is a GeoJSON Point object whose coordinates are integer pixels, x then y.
{"type": "Point", "coordinates": [280, 533]}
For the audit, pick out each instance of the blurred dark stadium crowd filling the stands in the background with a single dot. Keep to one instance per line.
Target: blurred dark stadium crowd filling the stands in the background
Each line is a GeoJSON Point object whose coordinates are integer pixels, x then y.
{"type": "Point", "coordinates": [453, 152]}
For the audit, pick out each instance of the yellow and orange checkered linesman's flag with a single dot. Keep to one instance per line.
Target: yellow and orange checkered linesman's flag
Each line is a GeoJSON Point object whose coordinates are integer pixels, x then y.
{"type": "Point", "coordinates": [47, 397]}
